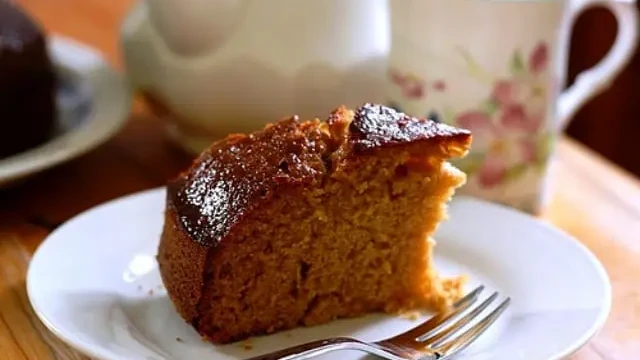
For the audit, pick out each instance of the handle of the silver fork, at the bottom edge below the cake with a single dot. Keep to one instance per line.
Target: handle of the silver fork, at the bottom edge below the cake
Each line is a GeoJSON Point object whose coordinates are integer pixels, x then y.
{"type": "Point", "coordinates": [311, 349]}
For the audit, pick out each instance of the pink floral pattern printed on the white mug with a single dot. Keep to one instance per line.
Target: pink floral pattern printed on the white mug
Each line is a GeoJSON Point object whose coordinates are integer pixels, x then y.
{"type": "Point", "coordinates": [509, 136]}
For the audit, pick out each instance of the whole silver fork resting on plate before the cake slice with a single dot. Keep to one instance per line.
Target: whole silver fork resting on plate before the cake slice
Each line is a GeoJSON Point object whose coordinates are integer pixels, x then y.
{"type": "Point", "coordinates": [438, 338]}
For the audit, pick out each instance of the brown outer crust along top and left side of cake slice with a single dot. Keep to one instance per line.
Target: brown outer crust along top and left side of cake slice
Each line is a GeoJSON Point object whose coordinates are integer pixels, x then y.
{"type": "Point", "coordinates": [210, 202]}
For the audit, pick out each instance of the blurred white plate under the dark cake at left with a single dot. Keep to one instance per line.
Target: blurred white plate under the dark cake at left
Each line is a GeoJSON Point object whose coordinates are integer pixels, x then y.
{"type": "Point", "coordinates": [93, 102]}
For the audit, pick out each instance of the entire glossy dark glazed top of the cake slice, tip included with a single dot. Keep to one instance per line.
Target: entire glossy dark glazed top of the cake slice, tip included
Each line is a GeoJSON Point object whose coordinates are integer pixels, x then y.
{"type": "Point", "coordinates": [240, 172]}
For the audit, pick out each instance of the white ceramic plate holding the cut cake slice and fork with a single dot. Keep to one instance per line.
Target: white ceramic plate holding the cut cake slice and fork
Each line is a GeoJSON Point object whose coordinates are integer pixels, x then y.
{"type": "Point", "coordinates": [94, 282]}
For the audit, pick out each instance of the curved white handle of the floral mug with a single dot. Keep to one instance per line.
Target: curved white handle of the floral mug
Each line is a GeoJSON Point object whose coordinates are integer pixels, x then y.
{"type": "Point", "coordinates": [593, 81]}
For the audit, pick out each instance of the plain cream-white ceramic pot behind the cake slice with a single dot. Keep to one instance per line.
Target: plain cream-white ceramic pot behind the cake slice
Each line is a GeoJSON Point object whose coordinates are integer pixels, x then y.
{"type": "Point", "coordinates": [221, 66]}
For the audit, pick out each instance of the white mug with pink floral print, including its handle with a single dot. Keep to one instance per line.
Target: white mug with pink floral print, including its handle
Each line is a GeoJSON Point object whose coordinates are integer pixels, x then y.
{"type": "Point", "coordinates": [497, 68]}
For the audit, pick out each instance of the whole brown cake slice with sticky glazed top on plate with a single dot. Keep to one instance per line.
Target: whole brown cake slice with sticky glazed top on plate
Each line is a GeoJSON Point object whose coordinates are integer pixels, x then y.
{"type": "Point", "coordinates": [309, 221]}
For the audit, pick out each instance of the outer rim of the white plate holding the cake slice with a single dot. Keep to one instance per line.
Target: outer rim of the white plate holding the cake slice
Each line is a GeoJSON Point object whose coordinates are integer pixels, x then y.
{"type": "Point", "coordinates": [101, 353]}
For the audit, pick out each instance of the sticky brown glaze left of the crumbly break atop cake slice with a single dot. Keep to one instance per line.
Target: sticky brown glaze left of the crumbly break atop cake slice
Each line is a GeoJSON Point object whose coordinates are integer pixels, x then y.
{"type": "Point", "coordinates": [242, 171]}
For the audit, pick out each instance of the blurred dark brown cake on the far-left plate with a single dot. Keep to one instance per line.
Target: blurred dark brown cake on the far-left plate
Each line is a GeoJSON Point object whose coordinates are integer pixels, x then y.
{"type": "Point", "coordinates": [27, 82]}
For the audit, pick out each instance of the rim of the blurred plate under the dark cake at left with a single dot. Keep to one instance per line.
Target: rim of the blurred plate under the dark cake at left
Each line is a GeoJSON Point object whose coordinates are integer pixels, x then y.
{"type": "Point", "coordinates": [72, 56]}
